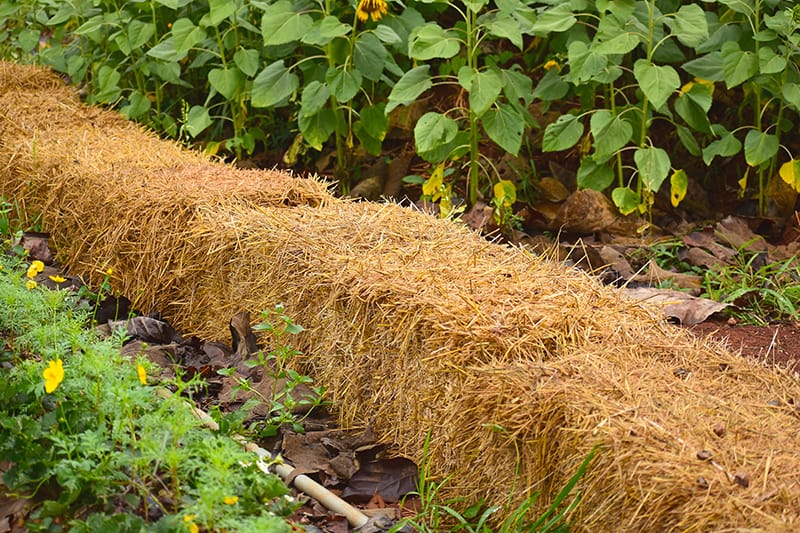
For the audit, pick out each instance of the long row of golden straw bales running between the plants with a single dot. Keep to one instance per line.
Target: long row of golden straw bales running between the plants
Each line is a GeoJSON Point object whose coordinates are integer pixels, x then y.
{"type": "Point", "coordinates": [516, 366]}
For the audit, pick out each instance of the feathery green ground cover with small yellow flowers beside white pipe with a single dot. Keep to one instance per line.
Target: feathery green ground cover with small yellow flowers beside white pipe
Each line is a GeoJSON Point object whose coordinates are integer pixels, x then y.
{"type": "Point", "coordinates": [86, 436]}
